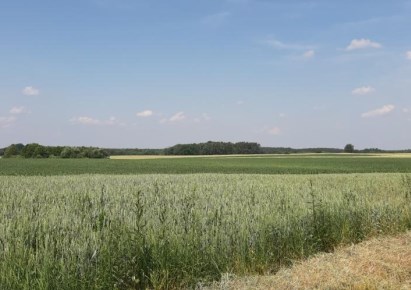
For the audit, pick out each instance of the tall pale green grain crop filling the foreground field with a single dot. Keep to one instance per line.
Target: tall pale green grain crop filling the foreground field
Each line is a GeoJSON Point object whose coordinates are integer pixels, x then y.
{"type": "Point", "coordinates": [173, 231]}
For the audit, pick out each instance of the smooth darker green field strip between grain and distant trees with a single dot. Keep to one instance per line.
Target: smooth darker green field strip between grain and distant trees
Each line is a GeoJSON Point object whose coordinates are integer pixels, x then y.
{"type": "Point", "coordinates": [272, 164]}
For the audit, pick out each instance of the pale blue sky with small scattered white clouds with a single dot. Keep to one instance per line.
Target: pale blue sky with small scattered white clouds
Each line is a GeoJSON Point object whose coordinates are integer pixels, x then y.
{"type": "Point", "coordinates": [154, 73]}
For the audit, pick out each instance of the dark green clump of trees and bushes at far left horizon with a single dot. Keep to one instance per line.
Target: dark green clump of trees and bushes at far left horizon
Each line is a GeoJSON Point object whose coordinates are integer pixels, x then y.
{"type": "Point", "coordinates": [34, 150]}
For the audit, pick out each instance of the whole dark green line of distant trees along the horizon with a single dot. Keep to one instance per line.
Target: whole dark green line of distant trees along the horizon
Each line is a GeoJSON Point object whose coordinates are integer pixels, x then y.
{"type": "Point", "coordinates": [34, 150]}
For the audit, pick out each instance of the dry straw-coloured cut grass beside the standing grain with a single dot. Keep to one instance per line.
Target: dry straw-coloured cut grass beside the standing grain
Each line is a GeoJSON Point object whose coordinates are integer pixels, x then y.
{"type": "Point", "coordinates": [381, 263]}
